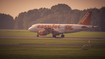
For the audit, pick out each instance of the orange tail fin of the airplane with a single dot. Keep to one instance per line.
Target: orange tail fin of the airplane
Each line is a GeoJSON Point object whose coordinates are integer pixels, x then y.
{"type": "Point", "coordinates": [86, 19]}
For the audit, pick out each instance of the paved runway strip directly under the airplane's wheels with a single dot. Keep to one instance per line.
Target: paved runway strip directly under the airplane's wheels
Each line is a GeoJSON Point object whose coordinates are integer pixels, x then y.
{"type": "Point", "coordinates": [70, 38]}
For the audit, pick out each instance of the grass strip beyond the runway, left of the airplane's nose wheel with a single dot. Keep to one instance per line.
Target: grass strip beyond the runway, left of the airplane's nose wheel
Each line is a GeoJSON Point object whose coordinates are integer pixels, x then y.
{"type": "Point", "coordinates": [16, 33]}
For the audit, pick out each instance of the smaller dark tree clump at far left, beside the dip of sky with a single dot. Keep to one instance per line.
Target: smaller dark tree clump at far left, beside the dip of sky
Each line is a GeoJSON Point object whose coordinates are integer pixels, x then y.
{"type": "Point", "coordinates": [6, 22]}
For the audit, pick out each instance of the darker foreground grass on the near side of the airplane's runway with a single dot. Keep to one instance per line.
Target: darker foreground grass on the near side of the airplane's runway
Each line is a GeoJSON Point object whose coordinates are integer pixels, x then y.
{"type": "Point", "coordinates": [51, 52]}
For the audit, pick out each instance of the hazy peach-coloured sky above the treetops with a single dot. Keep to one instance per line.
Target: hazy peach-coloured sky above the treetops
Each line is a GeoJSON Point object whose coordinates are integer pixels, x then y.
{"type": "Point", "coordinates": [14, 7]}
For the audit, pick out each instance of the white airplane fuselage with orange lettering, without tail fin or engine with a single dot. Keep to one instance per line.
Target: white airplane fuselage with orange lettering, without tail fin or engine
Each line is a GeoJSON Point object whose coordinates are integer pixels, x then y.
{"type": "Point", "coordinates": [61, 28]}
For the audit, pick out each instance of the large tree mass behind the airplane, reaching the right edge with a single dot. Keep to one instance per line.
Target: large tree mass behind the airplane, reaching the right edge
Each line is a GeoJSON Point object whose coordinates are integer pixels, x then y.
{"type": "Point", "coordinates": [60, 14]}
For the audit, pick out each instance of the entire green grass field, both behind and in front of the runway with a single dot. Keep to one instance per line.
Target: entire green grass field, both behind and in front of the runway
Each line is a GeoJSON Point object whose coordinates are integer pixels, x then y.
{"type": "Point", "coordinates": [51, 52]}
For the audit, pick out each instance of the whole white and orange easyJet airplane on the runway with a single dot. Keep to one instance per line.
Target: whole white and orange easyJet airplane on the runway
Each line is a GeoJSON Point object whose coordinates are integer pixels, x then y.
{"type": "Point", "coordinates": [57, 29]}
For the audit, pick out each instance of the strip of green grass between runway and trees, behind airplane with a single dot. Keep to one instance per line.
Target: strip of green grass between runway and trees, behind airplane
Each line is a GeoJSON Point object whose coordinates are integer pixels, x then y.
{"type": "Point", "coordinates": [27, 33]}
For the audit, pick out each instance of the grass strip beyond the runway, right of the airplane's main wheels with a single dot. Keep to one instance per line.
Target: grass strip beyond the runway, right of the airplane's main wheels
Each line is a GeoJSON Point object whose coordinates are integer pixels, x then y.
{"type": "Point", "coordinates": [87, 34]}
